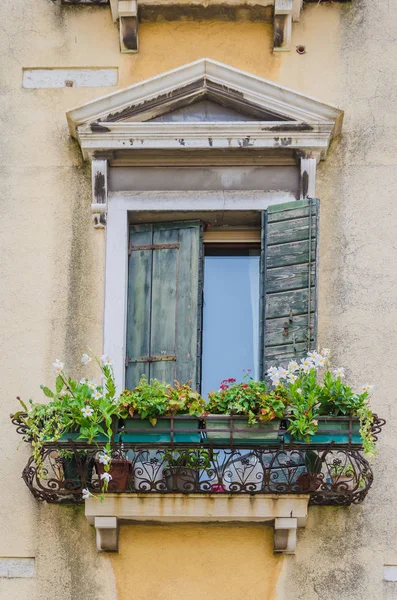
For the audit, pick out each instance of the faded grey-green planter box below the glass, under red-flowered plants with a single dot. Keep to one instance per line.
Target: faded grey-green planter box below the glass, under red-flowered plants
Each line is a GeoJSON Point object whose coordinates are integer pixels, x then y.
{"type": "Point", "coordinates": [218, 430]}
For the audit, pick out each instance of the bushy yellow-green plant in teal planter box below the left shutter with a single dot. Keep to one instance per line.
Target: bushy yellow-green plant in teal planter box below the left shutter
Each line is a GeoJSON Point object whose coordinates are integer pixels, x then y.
{"type": "Point", "coordinates": [148, 413]}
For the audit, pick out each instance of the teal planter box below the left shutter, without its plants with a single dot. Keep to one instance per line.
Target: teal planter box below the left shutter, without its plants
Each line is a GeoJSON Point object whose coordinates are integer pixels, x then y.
{"type": "Point", "coordinates": [137, 430]}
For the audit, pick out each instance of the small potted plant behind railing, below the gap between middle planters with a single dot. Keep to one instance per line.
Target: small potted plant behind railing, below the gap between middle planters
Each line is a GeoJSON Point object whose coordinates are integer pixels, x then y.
{"type": "Point", "coordinates": [182, 473]}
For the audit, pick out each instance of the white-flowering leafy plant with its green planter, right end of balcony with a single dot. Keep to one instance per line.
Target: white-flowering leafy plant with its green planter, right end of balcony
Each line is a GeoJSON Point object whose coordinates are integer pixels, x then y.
{"type": "Point", "coordinates": [323, 409]}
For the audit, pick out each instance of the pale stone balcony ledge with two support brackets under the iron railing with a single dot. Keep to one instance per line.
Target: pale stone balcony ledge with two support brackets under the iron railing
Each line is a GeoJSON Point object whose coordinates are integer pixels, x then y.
{"type": "Point", "coordinates": [287, 513]}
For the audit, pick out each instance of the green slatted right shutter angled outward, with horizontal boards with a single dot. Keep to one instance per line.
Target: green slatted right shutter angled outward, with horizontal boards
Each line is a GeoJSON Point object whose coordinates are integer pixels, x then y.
{"type": "Point", "coordinates": [289, 282]}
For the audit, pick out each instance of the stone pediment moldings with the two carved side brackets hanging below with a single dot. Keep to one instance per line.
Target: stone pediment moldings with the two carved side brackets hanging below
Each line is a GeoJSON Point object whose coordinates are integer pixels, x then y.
{"type": "Point", "coordinates": [125, 125]}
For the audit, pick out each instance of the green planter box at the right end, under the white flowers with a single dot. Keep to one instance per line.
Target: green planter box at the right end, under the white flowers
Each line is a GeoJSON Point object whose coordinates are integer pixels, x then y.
{"type": "Point", "coordinates": [338, 432]}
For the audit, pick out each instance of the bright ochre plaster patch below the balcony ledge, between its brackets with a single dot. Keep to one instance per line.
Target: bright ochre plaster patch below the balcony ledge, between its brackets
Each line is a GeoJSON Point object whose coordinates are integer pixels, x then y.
{"type": "Point", "coordinates": [195, 562]}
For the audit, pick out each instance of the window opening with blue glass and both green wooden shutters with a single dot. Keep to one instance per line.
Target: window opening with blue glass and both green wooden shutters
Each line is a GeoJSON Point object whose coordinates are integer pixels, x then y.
{"type": "Point", "coordinates": [179, 282]}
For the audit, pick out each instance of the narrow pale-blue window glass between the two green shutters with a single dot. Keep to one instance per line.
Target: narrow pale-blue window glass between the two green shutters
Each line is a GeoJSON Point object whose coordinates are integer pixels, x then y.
{"type": "Point", "coordinates": [230, 315]}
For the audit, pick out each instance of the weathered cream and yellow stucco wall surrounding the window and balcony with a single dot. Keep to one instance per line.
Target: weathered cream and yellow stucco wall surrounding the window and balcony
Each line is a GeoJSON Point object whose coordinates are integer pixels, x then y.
{"type": "Point", "coordinates": [52, 293]}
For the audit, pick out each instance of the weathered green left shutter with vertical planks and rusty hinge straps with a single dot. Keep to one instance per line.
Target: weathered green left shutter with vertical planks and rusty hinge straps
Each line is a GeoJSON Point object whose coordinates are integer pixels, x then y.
{"type": "Point", "coordinates": [164, 303]}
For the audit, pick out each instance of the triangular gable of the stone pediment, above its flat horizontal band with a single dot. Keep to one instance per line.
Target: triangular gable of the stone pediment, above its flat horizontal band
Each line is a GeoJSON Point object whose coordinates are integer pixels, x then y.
{"type": "Point", "coordinates": [198, 92]}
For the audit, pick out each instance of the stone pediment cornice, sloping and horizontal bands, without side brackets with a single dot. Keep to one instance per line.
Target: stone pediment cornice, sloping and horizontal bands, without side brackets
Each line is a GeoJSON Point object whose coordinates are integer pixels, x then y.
{"type": "Point", "coordinates": [283, 118]}
